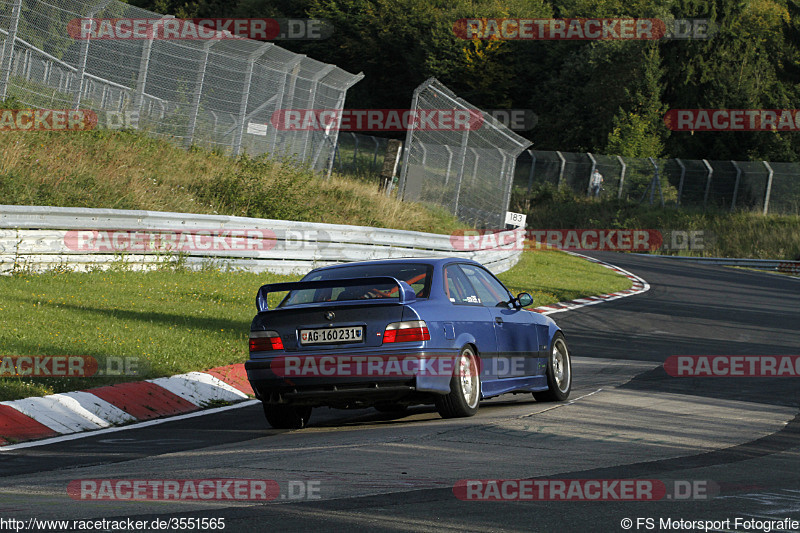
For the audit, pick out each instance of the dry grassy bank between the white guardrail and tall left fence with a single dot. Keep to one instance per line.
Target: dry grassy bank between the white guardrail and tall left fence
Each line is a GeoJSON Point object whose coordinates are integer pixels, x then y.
{"type": "Point", "coordinates": [127, 170]}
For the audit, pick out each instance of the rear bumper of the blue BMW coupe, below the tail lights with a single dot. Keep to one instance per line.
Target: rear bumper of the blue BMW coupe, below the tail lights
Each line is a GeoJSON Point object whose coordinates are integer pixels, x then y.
{"type": "Point", "coordinates": [274, 383]}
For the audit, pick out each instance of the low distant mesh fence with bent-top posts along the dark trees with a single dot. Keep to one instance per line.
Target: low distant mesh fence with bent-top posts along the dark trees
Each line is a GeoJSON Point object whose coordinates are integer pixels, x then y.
{"type": "Point", "coordinates": [762, 186]}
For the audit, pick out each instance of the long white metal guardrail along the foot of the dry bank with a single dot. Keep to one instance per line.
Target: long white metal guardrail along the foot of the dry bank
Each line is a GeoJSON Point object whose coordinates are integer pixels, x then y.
{"type": "Point", "coordinates": [44, 238]}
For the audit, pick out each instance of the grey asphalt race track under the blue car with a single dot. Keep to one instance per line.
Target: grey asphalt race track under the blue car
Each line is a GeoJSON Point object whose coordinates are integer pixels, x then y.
{"type": "Point", "coordinates": [737, 440]}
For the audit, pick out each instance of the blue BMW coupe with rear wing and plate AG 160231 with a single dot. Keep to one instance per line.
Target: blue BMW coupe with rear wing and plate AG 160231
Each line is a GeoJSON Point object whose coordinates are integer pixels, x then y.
{"type": "Point", "coordinates": [399, 332]}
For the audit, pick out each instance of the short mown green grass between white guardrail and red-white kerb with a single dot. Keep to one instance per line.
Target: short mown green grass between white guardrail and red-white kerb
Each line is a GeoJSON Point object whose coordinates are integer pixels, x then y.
{"type": "Point", "coordinates": [179, 321]}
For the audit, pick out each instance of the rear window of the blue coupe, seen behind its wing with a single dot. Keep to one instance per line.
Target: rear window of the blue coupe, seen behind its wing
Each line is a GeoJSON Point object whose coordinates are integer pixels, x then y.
{"type": "Point", "coordinates": [416, 275]}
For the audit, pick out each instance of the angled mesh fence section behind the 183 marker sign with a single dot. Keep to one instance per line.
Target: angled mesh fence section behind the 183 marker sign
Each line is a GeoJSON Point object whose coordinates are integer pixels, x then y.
{"type": "Point", "coordinates": [468, 172]}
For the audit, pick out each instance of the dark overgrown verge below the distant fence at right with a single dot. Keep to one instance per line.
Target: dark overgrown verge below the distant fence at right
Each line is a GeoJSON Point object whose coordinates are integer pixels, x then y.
{"type": "Point", "coordinates": [738, 234]}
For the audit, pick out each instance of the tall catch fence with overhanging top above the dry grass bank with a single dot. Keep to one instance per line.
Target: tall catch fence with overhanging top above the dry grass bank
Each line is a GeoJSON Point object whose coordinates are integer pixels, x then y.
{"type": "Point", "coordinates": [219, 93]}
